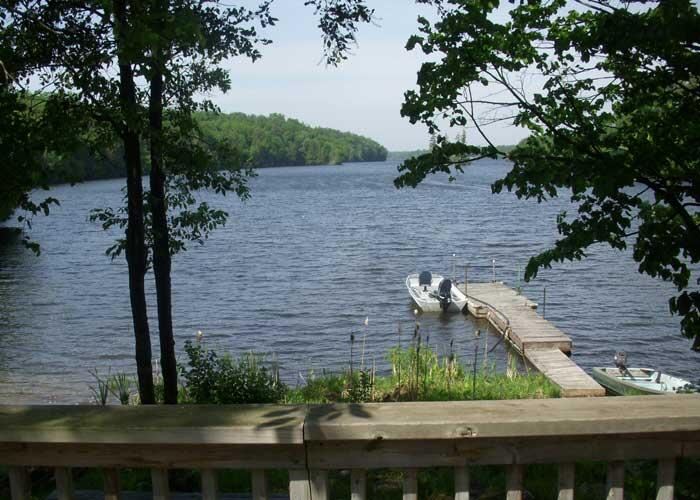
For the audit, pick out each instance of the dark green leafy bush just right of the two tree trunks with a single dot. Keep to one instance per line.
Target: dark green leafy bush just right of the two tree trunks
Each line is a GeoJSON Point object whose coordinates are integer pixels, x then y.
{"type": "Point", "coordinates": [213, 379]}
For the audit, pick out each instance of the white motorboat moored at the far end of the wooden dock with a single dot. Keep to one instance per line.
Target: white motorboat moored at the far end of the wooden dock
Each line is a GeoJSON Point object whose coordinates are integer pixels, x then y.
{"type": "Point", "coordinates": [434, 293]}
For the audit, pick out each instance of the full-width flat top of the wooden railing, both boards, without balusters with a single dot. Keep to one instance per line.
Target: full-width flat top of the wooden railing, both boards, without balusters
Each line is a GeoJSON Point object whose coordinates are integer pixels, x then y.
{"type": "Point", "coordinates": [293, 425]}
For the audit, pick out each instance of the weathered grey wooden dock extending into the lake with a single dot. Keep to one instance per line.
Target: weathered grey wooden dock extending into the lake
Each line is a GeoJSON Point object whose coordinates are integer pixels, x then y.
{"type": "Point", "coordinates": [541, 343]}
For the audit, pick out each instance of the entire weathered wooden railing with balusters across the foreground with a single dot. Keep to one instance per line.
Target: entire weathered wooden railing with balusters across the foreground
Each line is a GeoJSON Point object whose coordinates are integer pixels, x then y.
{"type": "Point", "coordinates": [309, 441]}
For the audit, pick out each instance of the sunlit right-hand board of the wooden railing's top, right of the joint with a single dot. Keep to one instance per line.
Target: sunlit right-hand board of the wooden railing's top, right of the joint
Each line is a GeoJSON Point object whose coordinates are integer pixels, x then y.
{"type": "Point", "coordinates": [504, 419]}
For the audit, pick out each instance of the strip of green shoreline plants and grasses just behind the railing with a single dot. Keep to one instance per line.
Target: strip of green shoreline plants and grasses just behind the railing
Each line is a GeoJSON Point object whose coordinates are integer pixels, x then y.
{"type": "Point", "coordinates": [417, 373]}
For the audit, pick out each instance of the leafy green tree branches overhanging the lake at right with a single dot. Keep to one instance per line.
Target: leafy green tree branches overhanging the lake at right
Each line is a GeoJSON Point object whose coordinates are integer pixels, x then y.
{"type": "Point", "coordinates": [613, 121]}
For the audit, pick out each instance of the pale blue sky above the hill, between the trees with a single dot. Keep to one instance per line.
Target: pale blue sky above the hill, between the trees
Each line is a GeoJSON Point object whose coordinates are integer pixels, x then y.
{"type": "Point", "coordinates": [363, 95]}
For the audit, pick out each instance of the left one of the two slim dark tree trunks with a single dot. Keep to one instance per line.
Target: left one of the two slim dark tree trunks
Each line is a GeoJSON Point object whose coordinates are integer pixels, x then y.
{"type": "Point", "coordinates": [135, 240]}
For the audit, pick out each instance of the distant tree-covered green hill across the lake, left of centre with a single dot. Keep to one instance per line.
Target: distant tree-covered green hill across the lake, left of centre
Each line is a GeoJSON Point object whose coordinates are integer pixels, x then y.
{"type": "Point", "coordinates": [262, 141]}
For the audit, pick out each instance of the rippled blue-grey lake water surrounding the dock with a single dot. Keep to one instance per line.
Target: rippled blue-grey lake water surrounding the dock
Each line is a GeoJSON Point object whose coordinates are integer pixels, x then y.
{"type": "Point", "coordinates": [300, 265]}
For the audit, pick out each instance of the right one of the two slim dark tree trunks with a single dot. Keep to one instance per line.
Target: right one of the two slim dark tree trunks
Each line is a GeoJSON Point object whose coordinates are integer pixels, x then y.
{"type": "Point", "coordinates": [161, 237]}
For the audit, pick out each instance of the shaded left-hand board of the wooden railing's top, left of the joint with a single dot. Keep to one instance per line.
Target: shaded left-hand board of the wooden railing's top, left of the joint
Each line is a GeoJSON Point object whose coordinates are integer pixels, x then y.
{"type": "Point", "coordinates": [157, 424]}
